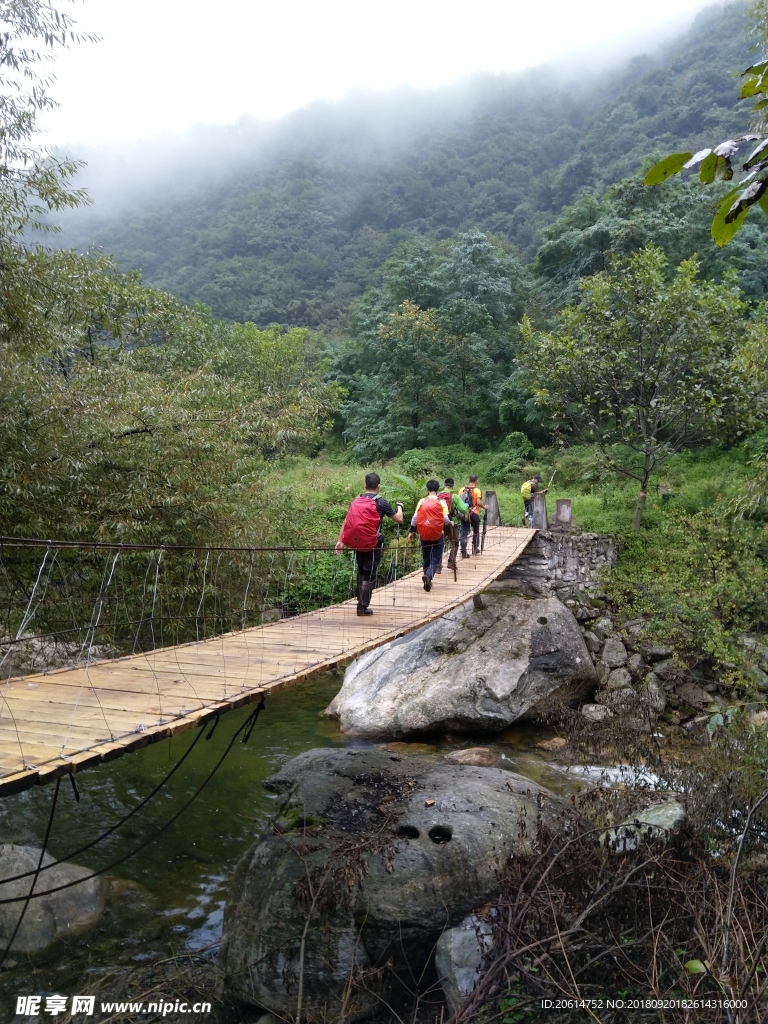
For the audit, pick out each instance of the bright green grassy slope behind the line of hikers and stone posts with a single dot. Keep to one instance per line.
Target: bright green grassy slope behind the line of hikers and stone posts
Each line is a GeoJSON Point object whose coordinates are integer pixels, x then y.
{"type": "Point", "coordinates": [306, 500]}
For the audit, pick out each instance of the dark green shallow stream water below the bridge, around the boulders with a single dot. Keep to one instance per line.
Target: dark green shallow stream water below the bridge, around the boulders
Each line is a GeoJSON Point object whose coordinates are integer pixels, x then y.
{"type": "Point", "coordinates": [170, 897]}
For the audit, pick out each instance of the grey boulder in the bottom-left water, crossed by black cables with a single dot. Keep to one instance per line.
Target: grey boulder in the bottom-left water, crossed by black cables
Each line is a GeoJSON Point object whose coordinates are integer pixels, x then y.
{"type": "Point", "coordinates": [60, 915]}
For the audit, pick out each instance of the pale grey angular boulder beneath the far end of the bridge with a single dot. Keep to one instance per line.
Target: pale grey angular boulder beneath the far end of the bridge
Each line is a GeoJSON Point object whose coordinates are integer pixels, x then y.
{"type": "Point", "coordinates": [475, 669]}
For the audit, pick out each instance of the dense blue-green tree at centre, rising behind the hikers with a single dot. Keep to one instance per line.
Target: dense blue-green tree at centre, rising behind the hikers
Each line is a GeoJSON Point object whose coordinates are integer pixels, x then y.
{"type": "Point", "coordinates": [429, 370]}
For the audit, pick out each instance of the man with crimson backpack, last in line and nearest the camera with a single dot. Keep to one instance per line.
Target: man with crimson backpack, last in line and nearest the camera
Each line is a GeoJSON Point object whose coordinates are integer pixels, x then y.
{"type": "Point", "coordinates": [362, 533]}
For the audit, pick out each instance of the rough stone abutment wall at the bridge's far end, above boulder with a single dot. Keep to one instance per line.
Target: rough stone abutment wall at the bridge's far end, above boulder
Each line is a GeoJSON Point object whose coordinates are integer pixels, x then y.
{"type": "Point", "coordinates": [561, 564]}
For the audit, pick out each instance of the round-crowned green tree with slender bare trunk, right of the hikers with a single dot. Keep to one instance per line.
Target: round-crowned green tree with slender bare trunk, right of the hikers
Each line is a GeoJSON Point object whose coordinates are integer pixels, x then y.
{"type": "Point", "coordinates": [643, 367]}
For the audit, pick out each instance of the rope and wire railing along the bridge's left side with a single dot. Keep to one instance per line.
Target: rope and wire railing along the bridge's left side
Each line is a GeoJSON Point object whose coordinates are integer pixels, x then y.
{"type": "Point", "coordinates": [67, 604]}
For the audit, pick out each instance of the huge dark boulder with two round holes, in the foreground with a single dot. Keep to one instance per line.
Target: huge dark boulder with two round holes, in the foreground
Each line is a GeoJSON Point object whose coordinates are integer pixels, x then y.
{"type": "Point", "coordinates": [372, 858]}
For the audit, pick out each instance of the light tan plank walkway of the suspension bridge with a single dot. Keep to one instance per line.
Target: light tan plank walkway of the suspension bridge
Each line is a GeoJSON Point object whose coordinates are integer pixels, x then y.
{"type": "Point", "coordinates": [63, 721]}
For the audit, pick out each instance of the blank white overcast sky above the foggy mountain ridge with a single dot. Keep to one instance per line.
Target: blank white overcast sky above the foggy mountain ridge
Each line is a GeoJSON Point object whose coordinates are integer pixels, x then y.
{"type": "Point", "coordinates": [165, 65]}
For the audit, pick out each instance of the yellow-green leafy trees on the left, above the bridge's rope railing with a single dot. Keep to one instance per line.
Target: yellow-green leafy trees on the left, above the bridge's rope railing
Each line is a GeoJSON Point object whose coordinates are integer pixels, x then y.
{"type": "Point", "coordinates": [159, 443]}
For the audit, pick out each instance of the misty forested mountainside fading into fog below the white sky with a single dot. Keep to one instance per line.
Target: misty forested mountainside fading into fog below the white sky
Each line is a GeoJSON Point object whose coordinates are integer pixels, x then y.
{"type": "Point", "coordinates": [289, 222]}
